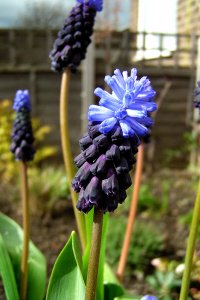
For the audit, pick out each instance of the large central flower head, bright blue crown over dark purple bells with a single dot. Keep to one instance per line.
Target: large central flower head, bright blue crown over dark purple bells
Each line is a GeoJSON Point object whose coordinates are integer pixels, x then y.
{"type": "Point", "coordinates": [109, 146]}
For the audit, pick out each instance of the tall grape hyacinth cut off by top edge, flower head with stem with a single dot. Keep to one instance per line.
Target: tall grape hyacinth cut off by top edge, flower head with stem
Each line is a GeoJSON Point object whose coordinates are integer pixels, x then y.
{"type": "Point", "coordinates": [68, 50]}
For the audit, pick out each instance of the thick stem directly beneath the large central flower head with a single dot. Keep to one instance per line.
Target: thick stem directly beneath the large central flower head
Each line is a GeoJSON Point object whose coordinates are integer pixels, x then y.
{"type": "Point", "coordinates": [93, 263]}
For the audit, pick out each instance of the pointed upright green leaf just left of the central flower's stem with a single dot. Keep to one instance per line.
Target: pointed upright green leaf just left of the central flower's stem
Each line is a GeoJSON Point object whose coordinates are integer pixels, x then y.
{"type": "Point", "coordinates": [66, 282]}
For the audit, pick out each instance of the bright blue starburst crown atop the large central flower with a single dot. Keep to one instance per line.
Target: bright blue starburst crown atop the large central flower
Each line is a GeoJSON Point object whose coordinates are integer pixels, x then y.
{"type": "Point", "coordinates": [128, 105]}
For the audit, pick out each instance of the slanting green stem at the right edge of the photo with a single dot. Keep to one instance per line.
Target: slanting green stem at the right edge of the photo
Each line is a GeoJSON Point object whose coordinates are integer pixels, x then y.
{"type": "Point", "coordinates": [190, 248]}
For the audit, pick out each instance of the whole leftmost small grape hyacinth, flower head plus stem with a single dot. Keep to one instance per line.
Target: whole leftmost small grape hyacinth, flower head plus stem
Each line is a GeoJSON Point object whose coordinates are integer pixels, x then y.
{"type": "Point", "coordinates": [23, 150]}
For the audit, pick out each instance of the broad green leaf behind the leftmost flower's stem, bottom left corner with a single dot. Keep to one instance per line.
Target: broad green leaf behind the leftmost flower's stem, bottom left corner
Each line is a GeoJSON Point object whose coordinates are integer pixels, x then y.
{"type": "Point", "coordinates": [12, 235]}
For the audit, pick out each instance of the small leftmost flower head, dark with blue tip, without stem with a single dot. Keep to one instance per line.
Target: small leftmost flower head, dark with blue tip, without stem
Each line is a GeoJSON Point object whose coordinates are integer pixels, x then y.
{"type": "Point", "coordinates": [22, 133]}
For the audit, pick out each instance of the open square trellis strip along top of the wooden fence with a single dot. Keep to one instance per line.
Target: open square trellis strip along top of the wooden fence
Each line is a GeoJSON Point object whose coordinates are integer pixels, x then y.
{"type": "Point", "coordinates": [20, 47]}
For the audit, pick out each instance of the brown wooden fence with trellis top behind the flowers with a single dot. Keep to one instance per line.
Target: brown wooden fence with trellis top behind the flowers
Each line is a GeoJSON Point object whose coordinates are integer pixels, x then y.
{"type": "Point", "coordinates": [24, 63]}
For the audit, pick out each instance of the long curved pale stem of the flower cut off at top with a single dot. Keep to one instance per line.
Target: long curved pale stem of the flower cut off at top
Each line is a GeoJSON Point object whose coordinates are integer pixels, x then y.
{"type": "Point", "coordinates": [67, 155]}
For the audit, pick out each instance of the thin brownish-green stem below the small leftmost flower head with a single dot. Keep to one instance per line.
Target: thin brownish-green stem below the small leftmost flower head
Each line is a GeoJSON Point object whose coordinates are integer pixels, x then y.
{"type": "Point", "coordinates": [26, 233]}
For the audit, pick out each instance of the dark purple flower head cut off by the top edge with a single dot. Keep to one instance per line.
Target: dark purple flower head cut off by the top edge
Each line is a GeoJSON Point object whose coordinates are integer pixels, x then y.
{"type": "Point", "coordinates": [74, 37]}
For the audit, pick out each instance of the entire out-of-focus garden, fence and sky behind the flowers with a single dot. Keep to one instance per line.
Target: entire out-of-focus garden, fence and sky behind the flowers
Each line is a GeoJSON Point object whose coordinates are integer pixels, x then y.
{"type": "Point", "coordinates": [162, 40]}
